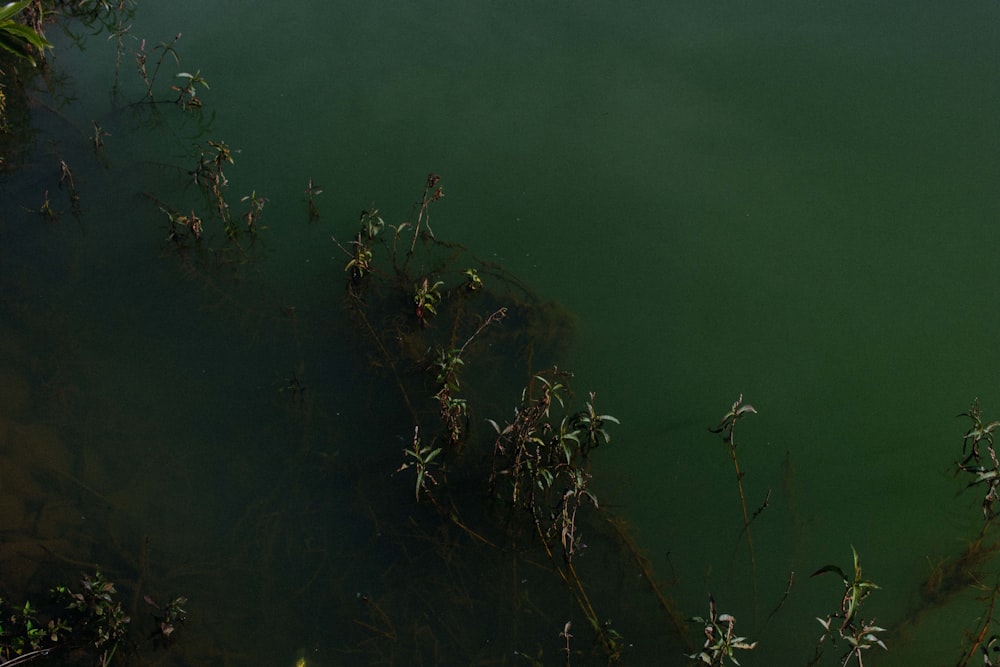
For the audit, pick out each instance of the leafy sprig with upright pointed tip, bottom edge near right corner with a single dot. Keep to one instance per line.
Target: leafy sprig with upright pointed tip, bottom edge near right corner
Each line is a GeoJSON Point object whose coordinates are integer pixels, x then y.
{"type": "Point", "coordinates": [847, 623]}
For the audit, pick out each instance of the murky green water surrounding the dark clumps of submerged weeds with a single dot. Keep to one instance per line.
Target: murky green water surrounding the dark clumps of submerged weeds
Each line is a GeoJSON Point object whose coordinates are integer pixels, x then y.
{"type": "Point", "coordinates": [790, 202]}
